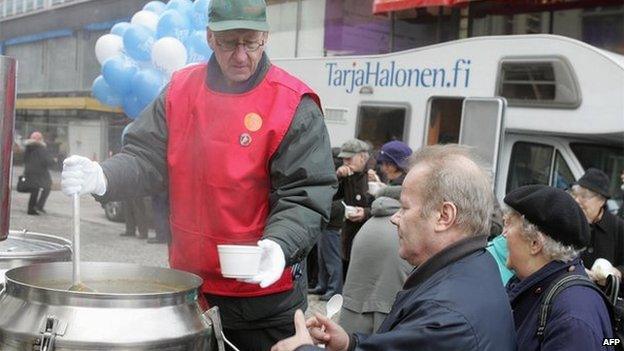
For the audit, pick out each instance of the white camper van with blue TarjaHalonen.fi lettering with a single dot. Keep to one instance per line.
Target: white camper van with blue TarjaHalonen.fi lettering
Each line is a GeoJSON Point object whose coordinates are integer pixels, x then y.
{"type": "Point", "coordinates": [540, 108]}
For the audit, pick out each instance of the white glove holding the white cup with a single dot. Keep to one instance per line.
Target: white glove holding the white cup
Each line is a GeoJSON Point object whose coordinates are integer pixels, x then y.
{"type": "Point", "coordinates": [272, 263]}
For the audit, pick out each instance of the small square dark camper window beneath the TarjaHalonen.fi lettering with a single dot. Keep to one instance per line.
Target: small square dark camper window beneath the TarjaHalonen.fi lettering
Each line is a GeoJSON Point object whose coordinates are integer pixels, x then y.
{"type": "Point", "coordinates": [378, 124]}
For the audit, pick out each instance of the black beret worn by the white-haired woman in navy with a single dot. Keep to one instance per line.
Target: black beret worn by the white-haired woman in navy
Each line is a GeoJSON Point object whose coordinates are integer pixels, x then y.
{"type": "Point", "coordinates": [553, 211]}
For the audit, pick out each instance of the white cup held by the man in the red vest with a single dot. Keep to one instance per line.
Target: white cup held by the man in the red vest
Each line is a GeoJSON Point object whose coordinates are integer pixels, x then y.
{"type": "Point", "coordinates": [239, 261]}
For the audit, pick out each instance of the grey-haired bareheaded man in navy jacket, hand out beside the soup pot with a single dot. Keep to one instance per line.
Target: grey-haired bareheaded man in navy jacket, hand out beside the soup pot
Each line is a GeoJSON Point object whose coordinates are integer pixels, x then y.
{"type": "Point", "coordinates": [454, 299]}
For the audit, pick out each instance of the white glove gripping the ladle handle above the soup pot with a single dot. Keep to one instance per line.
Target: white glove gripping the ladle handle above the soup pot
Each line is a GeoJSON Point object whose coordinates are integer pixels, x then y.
{"type": "Point", "coordinates": [82, 176]}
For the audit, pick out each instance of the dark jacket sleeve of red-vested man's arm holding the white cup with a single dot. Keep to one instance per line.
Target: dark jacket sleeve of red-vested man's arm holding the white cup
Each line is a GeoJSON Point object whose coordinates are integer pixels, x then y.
{"type": "Point", "coordinates": [303, 182]}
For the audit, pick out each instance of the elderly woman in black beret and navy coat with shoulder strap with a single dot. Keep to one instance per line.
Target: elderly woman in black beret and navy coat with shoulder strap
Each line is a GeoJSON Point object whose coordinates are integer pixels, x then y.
{"type": "Point", "coordinates": [545, 231]}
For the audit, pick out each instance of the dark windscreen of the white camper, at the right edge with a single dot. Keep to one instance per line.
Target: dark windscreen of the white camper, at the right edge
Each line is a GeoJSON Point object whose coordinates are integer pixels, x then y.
{"type": "Point", "coordinates": [609, 159]}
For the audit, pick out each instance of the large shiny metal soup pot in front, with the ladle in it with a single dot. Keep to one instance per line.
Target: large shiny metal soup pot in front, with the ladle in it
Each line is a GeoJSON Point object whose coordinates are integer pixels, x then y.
{"type": "Point", "coordinates": [132, 308]}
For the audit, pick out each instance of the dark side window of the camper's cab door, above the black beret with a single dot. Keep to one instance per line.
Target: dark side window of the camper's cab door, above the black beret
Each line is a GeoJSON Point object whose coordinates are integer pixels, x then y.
{"type": "Point", "coordinates": [530, 164]}
